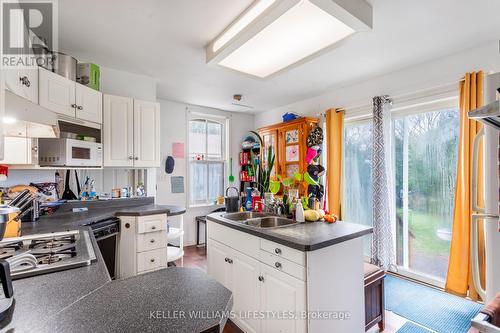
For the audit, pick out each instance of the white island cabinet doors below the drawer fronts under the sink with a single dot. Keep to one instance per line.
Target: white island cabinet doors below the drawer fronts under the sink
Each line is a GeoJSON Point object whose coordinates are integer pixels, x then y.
{"type": "Point", "coordinates": [265, 299]}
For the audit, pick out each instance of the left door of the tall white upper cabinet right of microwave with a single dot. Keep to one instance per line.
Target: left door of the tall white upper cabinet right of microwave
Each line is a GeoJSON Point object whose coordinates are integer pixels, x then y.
{"type": "Point", "coordinates": [118, 131]}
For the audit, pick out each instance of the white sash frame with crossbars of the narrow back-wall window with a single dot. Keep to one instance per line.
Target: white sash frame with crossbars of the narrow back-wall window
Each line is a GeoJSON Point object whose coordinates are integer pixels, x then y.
{"type": "Point", "coordinates": [224, 122]}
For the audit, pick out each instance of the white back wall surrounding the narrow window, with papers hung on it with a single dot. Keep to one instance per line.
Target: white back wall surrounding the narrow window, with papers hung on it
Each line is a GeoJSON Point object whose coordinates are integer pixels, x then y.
{"type": "Point", "coordinates": [173, 128]}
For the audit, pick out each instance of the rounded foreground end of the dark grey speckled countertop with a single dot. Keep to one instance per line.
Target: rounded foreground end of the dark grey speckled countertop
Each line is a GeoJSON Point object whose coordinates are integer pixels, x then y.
{"type": "Point", "coordinates": [141, 304]}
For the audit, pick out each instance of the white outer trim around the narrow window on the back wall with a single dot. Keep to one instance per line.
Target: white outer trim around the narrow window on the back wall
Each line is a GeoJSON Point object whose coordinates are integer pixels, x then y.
{"type": "Point", "coordinates": [225, 121]}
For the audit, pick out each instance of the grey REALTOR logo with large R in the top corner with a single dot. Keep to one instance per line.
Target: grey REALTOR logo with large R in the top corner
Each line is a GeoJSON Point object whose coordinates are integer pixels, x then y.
{"type": "Point", "coordinates": [28, 31]}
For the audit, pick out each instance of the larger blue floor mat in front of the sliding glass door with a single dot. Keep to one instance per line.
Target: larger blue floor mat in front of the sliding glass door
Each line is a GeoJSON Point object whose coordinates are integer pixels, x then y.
{"type": "Point", "coordinates": [434, 309]}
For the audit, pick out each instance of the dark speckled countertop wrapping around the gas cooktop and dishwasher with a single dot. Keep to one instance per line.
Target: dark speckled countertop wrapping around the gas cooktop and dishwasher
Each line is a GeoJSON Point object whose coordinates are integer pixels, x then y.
{"type": "Point", "coordinates": [86, 299]}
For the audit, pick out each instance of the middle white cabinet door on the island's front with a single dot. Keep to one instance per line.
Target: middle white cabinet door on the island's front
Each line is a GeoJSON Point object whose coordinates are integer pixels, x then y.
{"type": "Point", "coordinates": [245, 286]}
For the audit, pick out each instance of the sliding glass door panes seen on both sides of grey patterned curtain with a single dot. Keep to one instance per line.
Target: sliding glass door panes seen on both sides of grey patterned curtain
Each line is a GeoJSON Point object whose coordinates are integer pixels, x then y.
{"type": "Point", "coordinates": [425, 149]}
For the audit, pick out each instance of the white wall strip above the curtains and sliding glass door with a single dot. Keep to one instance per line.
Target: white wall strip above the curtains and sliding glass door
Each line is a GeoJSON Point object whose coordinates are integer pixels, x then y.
{"type": "Point", "coordinates": [439, 72]}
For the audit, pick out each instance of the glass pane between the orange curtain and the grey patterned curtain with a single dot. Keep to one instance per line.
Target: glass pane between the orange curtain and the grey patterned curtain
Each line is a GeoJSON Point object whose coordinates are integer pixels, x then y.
{"type": "Point", "coordinates": [357, 184]}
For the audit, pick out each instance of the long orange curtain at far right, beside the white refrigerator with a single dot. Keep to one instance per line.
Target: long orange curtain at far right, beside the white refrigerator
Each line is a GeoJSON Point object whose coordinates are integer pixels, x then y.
{"type": "Point", "coordinates": [459, 278]}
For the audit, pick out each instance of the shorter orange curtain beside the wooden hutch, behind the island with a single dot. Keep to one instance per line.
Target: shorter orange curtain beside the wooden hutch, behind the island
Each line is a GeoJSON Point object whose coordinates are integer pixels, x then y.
{"type": "Point", "coordinates": [334, 135]}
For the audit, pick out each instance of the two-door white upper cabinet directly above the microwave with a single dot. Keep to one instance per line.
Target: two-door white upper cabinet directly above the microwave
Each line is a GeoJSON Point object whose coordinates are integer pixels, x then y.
{"type": "Point", "coordinates": [69, 98]}
